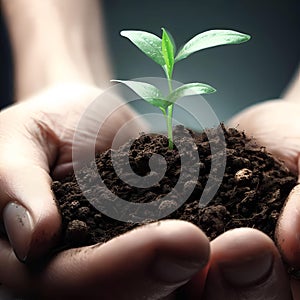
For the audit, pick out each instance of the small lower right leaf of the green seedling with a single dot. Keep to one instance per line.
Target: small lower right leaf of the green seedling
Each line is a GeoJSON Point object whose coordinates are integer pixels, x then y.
{"type": "Point", "coordinates": [190, 89]}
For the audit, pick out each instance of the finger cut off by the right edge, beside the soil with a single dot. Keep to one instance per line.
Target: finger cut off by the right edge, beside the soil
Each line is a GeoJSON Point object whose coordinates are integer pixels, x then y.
{"type": "Point", "coordinates": [288, 229]}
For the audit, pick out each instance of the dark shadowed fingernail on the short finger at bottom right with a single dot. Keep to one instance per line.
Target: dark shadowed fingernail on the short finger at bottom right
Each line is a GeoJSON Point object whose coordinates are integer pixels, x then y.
{"type": "Point", "coordinates": [249, 271]}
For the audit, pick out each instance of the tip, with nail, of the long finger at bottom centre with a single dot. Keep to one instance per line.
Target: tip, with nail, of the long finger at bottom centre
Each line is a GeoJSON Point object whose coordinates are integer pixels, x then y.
{"type": "Point", "coordinates": [178, 250]}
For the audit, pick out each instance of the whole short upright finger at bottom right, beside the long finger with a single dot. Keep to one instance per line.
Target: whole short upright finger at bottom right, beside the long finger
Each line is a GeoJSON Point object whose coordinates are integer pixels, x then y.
{"type": "Point", "coordinates": [245, 264]}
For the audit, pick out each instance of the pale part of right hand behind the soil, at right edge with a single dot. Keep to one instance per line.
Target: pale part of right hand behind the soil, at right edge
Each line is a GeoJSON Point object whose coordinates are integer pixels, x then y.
{"type": "Point", "coordinates": [275, 124]}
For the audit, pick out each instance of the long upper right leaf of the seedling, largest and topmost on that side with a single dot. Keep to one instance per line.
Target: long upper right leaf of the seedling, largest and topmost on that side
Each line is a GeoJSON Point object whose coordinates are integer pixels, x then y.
{"type": "Point", "coordinates": [209, 39]}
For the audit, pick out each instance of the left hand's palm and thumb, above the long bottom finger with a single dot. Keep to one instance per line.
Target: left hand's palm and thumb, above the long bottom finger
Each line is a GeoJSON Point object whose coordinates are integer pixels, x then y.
{"type": "Point", "coordinates": [36, 142]}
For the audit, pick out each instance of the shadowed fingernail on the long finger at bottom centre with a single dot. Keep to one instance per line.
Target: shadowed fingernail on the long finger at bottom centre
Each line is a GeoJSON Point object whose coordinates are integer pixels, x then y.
{"type": "Point", "coordinates": [173, 271]}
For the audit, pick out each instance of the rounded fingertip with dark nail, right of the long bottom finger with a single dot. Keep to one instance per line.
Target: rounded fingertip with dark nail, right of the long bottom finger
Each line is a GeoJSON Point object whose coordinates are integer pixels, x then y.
{"type": "Point", "coordinates": [248, 257]}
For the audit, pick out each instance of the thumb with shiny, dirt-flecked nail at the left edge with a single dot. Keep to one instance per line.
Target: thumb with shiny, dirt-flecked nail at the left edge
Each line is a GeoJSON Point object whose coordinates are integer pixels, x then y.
{"type": "Point", "coordinates": [27, 203]}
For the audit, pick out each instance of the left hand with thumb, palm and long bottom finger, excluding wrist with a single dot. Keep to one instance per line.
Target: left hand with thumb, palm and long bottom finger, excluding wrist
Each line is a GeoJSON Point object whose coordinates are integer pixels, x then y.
{"type": "Point", "coordinates": [36, 137]}
